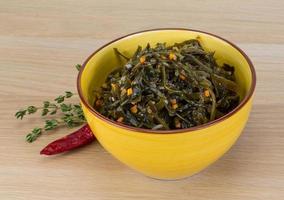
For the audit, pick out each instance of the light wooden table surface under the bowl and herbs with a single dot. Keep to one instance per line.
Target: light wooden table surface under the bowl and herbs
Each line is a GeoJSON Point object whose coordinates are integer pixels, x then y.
{"type": "Point", "coordinates": [41, 40]}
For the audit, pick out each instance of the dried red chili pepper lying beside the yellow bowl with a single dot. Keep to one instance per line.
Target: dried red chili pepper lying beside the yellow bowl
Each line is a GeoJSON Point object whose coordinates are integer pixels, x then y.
{"type": "Point", "coordinates": [74, 140]}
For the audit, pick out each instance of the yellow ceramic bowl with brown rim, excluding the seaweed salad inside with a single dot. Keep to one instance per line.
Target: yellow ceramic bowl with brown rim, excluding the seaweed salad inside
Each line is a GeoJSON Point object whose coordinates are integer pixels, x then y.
{"type": "Point", "coordinates": [169, 154]}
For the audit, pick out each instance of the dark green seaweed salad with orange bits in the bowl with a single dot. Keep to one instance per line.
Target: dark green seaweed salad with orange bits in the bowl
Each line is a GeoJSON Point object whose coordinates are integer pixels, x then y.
{"type": "Point", "coordinates": [168, 87]}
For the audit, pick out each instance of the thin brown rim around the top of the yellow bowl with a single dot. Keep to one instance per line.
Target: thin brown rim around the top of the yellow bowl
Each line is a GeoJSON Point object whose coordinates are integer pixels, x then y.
{"type": "Point", "coordinates": [173, 131]}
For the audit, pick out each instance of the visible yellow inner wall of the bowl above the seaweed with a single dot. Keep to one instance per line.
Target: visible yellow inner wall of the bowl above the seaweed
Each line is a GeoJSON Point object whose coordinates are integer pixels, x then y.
{"type": "Point", "coordinates": [104, 60]}
